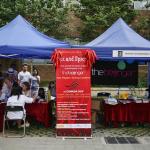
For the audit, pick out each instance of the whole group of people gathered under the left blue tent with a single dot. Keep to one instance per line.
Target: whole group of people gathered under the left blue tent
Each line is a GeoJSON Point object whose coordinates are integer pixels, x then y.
{"type": "Point", "coordinates": [23, 87]}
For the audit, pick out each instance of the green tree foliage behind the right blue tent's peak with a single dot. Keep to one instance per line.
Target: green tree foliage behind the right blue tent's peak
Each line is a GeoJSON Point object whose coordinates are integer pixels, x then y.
{"type": "Point", "coordinates": [98, 15]}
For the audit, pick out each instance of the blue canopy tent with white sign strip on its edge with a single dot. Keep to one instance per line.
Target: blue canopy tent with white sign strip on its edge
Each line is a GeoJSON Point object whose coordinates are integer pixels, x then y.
{"type": "Point", "coordinates": [117, 40]}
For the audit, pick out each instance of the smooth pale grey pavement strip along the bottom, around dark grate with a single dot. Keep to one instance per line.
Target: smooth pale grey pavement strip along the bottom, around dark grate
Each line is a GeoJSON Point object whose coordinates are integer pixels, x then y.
{"type": "Point", "coordinates": [51, 143]}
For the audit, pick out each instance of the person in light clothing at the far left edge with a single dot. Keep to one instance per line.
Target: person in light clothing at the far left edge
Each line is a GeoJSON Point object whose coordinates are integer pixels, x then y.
{"type": "Point", "coordinates": [6, 89]}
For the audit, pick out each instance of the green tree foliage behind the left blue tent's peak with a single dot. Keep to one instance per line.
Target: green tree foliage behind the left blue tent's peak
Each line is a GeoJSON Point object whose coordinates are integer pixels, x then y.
{"type": "Point", "coordinates": [49, 16]}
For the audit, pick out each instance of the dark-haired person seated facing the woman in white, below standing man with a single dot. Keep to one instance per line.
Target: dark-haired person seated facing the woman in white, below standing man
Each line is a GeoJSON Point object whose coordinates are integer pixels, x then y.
{"type": "Point", "coordinates": [26, 89]}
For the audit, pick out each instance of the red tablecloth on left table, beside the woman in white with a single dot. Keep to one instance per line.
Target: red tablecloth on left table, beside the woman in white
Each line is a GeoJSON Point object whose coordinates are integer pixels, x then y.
{"type": "Point", "coordinates": [40, 111]}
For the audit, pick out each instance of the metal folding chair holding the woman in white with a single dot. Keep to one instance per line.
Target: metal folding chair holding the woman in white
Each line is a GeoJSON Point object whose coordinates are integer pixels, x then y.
{"type": "Point", "coordinates": [6, 119]}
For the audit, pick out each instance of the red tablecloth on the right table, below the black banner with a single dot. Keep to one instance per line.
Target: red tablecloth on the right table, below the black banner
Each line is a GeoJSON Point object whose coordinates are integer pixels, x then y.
{"type": "Point", "coordinates": [130, 112]}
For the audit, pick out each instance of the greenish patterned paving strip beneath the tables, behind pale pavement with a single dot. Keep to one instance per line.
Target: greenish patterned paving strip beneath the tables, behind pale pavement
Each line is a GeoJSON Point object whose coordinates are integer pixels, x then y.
{"type": "Point", "coordinates": [37, 130]}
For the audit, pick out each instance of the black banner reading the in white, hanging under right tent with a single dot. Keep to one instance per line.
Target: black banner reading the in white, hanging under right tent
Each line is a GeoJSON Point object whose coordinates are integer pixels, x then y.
{"type": "Point", "coordinates": [120, 73]}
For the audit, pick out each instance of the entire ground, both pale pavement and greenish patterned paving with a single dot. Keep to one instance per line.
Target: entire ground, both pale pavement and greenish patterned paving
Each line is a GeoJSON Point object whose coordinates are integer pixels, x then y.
{"type": "Point", "coordinates": [40, 138]}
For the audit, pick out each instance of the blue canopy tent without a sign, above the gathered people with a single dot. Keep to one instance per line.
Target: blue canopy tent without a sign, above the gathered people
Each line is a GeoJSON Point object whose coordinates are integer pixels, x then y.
{"type": "Point", "coordinates": [19, 39]}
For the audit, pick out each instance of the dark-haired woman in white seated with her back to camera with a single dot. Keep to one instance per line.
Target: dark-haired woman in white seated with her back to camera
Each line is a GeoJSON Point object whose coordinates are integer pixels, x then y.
{"type": "Point", "coordinates": [18, 99]}
